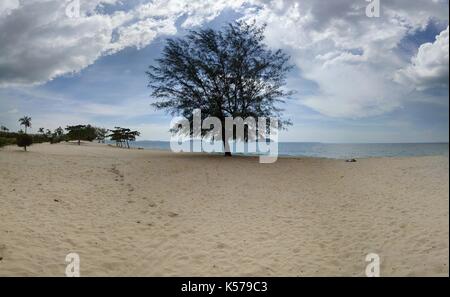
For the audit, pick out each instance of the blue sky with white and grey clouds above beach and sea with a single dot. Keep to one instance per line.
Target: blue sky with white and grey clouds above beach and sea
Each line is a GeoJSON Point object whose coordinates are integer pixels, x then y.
{"type": "Point", "coordinates": [357, 79]}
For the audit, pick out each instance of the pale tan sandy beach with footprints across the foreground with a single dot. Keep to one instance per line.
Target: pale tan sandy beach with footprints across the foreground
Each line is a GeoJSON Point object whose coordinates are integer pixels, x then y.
{"type": "Point", "coordinates": [135, 212]}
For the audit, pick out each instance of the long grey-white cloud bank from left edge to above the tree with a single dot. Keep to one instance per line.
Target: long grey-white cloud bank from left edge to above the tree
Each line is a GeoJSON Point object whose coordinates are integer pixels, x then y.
{"type": "Point", "coordinates": [39, 42]}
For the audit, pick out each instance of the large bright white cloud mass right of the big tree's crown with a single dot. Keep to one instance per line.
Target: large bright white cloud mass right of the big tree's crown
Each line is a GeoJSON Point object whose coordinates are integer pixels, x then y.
{"type": "Point", "coordinates": [350, 57]}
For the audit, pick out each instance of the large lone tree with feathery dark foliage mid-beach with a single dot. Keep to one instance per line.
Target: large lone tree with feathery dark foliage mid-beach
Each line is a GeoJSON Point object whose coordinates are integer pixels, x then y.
{"type": "Point", "coordinates": [224, 73]}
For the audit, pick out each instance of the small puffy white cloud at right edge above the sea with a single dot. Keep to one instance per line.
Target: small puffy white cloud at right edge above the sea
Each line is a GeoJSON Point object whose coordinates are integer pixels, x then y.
{"type": "Point", "coordinates": [430, 67]}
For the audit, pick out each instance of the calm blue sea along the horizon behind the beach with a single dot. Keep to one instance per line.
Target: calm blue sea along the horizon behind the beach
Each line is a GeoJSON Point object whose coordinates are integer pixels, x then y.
{"type": "Point", "coordinates": [338, 150]}
